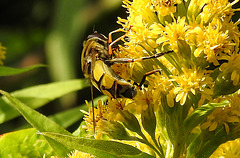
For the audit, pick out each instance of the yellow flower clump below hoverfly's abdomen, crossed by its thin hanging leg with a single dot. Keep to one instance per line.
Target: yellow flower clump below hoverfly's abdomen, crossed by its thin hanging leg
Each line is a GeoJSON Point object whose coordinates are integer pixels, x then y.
{"type": "Point", "coordinates": [107, 115]}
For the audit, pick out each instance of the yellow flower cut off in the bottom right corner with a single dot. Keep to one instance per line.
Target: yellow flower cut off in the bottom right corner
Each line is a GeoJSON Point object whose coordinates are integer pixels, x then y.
{"type": "Point", "coordinates": [230, 149]}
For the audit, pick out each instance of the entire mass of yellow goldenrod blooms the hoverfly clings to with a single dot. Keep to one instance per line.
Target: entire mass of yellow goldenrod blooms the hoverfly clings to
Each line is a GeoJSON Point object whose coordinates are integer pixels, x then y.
{"type": "Point", "coordinates": [204, 67]}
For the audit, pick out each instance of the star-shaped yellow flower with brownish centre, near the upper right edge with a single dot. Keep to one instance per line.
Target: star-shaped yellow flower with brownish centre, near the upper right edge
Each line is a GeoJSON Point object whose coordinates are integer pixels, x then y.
{"type": "Point", "coordinates": [213, 42]}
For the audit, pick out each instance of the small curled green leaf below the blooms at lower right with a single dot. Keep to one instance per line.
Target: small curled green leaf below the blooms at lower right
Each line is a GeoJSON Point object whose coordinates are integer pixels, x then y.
{"type": "Point", "coordinates": [199, 115]}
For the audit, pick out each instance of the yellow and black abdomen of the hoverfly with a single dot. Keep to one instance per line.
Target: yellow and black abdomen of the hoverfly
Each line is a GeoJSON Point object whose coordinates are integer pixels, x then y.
{"type": "Point", "coordinates": [109, 83]}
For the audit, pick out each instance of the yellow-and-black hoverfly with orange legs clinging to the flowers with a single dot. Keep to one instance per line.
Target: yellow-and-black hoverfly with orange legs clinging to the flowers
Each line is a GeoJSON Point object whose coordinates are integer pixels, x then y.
{"type": "Point", "coordinates": [96, 61]}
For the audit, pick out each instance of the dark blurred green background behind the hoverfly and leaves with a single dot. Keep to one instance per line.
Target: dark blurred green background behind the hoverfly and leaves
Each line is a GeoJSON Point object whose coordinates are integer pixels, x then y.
{"type": "Point", "coordinates": [51, 32]}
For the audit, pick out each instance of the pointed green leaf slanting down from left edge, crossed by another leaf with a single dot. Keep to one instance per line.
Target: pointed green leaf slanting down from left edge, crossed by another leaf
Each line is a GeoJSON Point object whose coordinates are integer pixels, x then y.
{"type": "Point", "coordinates": [40, 122]}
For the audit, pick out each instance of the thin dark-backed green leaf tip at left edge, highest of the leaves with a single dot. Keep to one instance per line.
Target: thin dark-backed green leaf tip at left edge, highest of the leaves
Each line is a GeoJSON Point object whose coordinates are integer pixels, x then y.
{"type": "Point", "coordinates": [9, 71]}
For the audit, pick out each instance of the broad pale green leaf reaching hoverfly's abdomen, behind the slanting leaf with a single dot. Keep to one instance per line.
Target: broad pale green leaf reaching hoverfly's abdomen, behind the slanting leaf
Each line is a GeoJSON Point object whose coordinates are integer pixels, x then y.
{"type": "Point", "coordinates": [40, 95]}
